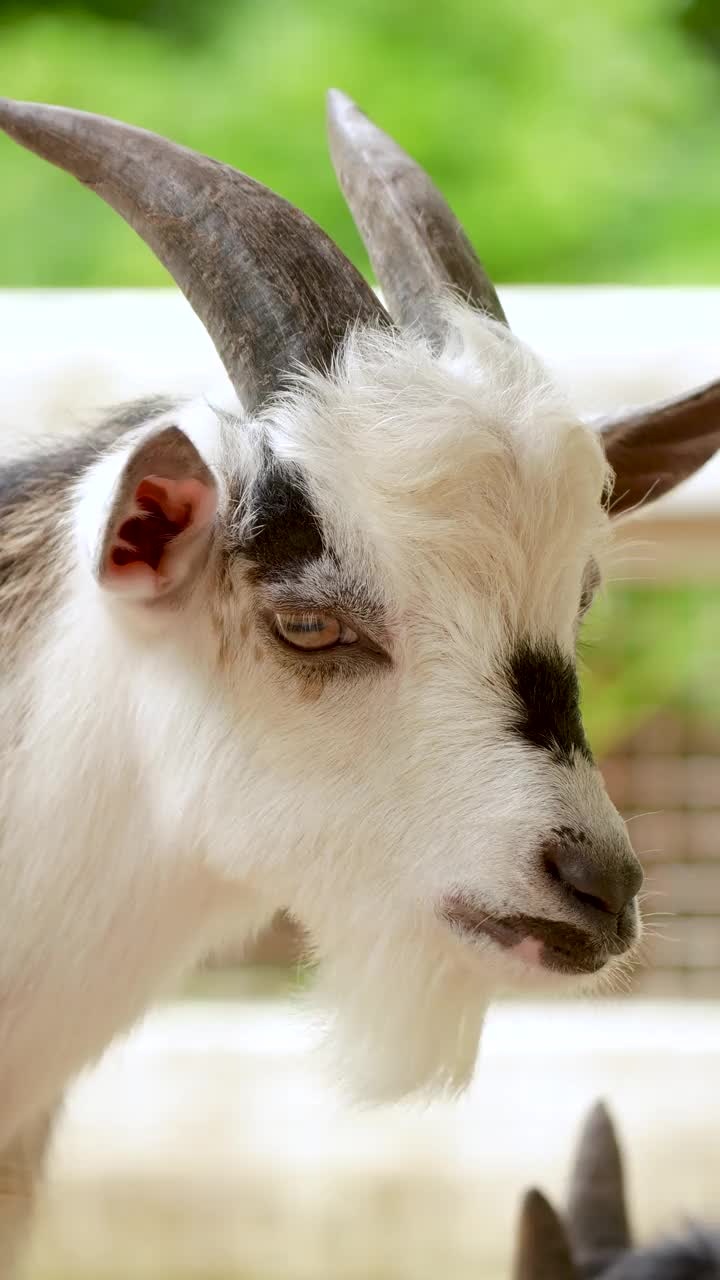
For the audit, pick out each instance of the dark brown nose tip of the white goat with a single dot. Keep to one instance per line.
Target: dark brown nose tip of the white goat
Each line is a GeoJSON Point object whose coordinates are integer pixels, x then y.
{"type": "Point", "coordinates": [604, 880]}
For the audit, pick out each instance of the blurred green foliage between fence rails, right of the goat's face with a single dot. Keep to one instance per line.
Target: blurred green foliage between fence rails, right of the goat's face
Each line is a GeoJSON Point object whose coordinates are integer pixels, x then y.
{"type": "Point", "coordinates": [648, 650]}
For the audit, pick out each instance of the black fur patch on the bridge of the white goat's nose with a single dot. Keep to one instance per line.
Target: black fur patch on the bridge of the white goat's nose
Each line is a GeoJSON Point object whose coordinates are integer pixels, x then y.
{"type": "Point", "coordinates": [545, 688]}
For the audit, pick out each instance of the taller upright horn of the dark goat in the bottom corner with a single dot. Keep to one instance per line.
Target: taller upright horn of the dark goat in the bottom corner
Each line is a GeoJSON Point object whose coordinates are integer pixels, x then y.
{"type": "Point", "coordinates": [598, 1219]}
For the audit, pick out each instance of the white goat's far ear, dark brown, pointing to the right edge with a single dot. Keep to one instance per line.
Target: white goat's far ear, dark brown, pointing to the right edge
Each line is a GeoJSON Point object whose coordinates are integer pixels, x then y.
{"type": "Point", "coordinates": [657, 449]}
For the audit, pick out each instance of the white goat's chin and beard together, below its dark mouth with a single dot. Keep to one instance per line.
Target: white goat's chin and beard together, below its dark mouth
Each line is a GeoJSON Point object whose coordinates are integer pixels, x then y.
{"type": "Point", "coordinates": [407, 1013]}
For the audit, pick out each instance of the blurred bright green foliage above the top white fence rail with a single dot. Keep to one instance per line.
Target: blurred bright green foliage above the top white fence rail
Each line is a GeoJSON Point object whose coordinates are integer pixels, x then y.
{"type": "Point", "coordinates": [576, 139]}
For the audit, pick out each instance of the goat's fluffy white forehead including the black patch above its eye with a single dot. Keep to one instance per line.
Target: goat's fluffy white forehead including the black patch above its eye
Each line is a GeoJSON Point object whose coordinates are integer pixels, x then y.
{"type": "Point", "coordinates": [403, 478]}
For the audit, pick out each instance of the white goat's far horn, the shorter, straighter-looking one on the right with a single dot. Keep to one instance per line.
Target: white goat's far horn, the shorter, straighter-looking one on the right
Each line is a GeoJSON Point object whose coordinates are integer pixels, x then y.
{"type": "Point", "coordinates": [417, 245]}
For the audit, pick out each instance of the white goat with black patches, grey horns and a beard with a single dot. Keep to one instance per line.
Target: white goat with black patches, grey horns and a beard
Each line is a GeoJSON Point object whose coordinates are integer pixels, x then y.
{"type": "Point", "coordinates": [309, 644]}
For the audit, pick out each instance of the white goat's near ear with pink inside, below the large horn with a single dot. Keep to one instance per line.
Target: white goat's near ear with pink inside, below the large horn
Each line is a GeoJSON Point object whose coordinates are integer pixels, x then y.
{"type": "Point", "coordinates": [161, 520]}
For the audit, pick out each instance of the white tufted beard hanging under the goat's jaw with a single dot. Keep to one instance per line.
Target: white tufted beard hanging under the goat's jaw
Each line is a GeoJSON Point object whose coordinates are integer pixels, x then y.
{"type": "Point", "coordinates": [405, 1018]}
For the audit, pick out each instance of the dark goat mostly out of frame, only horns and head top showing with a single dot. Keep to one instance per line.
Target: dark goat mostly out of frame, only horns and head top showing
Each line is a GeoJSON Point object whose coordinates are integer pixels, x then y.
{"type": "Point", "coordinates": [594, 1240]}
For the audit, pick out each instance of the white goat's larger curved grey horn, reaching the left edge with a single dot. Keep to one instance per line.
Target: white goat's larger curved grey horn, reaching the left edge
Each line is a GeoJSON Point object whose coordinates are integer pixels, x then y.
{"type": "Point", "coordinates": [267, 284]}
